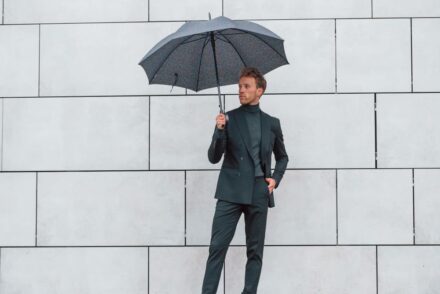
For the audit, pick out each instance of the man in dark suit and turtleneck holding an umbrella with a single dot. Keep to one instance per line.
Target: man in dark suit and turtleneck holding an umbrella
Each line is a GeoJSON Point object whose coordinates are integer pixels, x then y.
{"type": "Point", "coordinates": [245, 183]}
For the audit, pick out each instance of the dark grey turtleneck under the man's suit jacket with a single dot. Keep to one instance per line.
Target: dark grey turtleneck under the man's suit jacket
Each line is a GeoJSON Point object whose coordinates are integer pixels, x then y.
{"type": "Point", "coordinates": [252, 115]}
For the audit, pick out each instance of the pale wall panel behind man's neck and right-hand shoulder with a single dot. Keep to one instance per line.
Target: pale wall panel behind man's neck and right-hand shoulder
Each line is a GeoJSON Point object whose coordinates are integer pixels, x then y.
{"type": "Point", "coordinates": [323, 131]}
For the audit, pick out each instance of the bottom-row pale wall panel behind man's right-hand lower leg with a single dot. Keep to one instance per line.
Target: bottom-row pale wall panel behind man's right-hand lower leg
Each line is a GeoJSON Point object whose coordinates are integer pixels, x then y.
{"type": "Point", "coordinates": [314, 269]}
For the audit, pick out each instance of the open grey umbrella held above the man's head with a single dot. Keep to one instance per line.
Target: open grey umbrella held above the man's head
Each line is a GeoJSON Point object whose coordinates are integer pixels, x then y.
{"type": "Point", "coordinates": [209, 53]}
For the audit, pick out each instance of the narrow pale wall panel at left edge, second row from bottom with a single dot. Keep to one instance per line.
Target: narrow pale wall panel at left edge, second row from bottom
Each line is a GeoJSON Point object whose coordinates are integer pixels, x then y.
{"type": "Point", "coordinates": [17, 209]}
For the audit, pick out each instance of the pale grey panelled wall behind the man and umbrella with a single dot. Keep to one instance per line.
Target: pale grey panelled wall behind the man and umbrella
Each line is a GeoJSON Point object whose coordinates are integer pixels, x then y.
{"type": "Point", "coordinates": [105, 186]}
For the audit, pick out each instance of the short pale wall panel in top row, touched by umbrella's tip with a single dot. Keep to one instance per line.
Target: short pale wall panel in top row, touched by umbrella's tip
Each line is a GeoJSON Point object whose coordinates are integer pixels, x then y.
{"type": "Point", "coordinates": [184, 10]}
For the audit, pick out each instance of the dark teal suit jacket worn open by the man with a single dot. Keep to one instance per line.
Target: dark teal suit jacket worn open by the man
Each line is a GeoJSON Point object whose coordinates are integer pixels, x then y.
{"type": "Point", "coordinates": [237, 174]}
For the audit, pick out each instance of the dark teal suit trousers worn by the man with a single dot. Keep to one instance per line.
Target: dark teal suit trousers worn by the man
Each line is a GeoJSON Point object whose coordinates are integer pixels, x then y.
{"type": "Point", "coordinates": [225, 221]}
